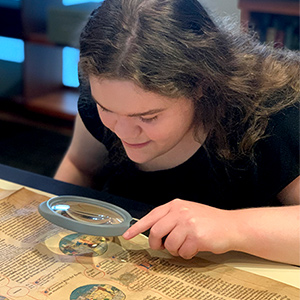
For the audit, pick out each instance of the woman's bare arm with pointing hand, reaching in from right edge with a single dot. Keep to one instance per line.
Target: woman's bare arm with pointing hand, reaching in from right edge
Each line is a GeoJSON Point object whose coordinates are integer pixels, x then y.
{"type": "Point", "coordinates": [269, 232]}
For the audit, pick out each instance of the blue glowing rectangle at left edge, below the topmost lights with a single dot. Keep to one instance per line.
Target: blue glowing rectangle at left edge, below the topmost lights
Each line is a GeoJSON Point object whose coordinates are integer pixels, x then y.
{"type": "Point", "coordinates": [12, 49]}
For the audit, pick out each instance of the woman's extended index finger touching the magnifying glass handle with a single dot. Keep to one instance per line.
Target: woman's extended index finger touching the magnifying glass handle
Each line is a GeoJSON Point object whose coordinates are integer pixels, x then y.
{"type": "Point", "coordinates": [146, 222]}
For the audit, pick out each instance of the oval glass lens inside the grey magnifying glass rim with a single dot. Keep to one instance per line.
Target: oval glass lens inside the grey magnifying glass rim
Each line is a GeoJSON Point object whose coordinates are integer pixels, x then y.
{"type": "Point", "coordinates": [88, 213]}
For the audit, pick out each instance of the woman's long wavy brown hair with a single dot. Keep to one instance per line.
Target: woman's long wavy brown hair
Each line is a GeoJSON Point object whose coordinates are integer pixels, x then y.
{"type": "Point", "coordinates": [174, 48]}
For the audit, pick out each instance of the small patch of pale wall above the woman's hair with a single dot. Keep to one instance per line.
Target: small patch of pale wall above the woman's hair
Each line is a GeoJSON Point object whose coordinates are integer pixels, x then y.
{"type": "Point", "coordinates": [223, 7]}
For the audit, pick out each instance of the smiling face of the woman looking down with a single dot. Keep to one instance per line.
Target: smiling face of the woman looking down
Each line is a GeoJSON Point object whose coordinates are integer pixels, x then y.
{"type": "Point", "coordinates": [156, 131]}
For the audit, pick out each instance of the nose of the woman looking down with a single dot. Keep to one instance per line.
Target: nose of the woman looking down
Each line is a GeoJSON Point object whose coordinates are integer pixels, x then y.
{"type": "Point", "coordinates": [126, 128]}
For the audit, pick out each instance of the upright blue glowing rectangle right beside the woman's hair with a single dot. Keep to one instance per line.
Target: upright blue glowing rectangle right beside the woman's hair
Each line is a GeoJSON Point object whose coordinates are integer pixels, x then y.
{"type": "Point", "coordinates": [70, 66]}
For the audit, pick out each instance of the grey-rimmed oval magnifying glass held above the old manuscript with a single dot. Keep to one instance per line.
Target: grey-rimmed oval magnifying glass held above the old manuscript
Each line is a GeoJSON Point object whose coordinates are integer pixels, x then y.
{"type": "Point", "coordinates": [86, 215]}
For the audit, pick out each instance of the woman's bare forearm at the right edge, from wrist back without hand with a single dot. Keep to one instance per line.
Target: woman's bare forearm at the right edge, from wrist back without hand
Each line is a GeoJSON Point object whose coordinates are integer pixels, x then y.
{"type": "Point", "coordinates": [273, 233]}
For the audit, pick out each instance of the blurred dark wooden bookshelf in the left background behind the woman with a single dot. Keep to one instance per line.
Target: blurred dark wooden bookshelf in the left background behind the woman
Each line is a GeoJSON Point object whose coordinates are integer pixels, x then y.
{"type": "Point", "coordinates": [40, 83]}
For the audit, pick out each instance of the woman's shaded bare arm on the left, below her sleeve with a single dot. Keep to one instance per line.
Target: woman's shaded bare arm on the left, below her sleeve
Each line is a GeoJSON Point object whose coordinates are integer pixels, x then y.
{"type": "Point", "coordinates": [84, 158]}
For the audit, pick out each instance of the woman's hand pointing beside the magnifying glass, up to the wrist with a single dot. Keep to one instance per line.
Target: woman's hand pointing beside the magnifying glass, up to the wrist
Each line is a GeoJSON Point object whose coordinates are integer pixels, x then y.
{"type": "Point", "coordinates": [189, 227]}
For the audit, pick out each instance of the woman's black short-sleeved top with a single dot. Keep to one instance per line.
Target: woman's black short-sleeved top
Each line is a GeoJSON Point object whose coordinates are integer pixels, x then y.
{"type": "Point", "coordinates": [202, 178]}
